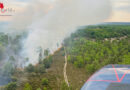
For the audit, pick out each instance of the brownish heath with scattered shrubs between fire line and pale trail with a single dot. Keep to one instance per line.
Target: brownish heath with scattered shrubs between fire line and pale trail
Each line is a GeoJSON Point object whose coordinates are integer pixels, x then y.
{"type": "Point", "coordinates": [51, 79]}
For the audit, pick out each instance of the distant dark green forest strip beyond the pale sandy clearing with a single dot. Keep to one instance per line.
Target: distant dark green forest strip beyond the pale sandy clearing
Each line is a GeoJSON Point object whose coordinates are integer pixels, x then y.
{"type": "Point", "coordinates": [100, 32]}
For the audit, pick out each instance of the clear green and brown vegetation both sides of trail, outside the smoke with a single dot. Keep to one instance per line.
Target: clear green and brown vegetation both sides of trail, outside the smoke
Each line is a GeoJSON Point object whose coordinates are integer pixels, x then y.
{"type": "Point", "coordinates": [88, 49]}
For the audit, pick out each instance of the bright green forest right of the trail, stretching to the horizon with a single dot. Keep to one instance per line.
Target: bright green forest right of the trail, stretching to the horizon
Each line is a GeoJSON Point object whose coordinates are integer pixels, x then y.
{"type": "Point", "coordinates": [93, 47]}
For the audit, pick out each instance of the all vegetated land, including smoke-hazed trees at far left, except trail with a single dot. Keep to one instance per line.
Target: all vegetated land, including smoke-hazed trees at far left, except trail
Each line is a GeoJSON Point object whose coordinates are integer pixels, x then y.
{"type": "Point", "coordinates": [88, 49]}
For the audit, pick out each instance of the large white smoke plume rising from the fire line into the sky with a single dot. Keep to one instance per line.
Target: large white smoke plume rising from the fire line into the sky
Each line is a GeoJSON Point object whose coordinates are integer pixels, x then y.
{"type": "Point", "coordinates": [49, 22]}
